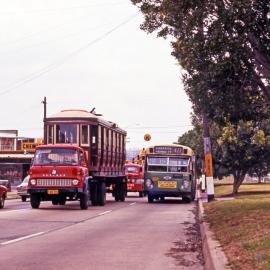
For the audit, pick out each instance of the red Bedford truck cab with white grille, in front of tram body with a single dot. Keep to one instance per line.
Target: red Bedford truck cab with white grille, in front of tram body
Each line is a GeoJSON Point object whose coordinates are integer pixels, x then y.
{"type": "Point", "coordinates": [59, 173]}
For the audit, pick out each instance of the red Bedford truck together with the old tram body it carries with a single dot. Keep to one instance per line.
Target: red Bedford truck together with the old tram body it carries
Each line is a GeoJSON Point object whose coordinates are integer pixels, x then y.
{"type": "Point", "coordinates": [82, 155]}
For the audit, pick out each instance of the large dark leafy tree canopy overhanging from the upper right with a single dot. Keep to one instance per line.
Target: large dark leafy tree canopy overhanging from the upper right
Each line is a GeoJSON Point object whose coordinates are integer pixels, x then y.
{"type": "Point", "coordinates": [223, 47]}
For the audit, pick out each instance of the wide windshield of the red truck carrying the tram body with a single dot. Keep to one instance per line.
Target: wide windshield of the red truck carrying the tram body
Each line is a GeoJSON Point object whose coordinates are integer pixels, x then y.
{"type": "Point", "coordinates": [56, 156]}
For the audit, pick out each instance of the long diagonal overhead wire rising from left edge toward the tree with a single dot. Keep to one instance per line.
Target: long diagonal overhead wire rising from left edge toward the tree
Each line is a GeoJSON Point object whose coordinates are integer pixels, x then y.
{"type": "Point", "coordinates": [60, 62]}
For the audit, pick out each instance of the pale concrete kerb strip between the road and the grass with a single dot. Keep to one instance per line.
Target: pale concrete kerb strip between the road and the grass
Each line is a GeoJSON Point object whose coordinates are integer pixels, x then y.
{"type": "Point", "coordinates": [214, 257]}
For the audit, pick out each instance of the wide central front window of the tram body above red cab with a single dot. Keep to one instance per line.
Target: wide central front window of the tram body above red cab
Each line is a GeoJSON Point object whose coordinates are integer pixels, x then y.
{"type": "Point", "coordinates": [66, 133]}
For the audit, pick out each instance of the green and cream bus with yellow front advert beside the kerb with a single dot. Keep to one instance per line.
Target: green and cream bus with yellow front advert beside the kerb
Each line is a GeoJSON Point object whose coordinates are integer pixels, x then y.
{"type": "Point", "coordinates": [169, 171]}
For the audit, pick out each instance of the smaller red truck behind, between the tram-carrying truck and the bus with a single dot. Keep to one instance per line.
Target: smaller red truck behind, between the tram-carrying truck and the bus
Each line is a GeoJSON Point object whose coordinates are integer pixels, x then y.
{"type": "Point", "coordinates": [134, 173]}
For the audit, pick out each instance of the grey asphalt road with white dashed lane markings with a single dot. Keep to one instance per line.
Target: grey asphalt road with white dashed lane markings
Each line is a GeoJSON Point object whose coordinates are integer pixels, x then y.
{"type": "Point", "coordinates": [121, 235]}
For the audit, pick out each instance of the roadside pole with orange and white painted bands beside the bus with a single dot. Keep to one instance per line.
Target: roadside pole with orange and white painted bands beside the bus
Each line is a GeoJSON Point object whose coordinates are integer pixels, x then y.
{"type": "Point", "coordinates": [208, 160]}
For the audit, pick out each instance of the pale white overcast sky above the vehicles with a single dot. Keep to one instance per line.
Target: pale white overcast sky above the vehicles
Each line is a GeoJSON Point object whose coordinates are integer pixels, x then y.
{"type": "Point", "coordinates": [82, 54]}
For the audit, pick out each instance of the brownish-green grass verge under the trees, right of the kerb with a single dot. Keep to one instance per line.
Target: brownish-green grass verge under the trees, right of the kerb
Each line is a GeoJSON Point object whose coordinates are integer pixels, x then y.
{"type": "Point", "coordinates": [242, 226]}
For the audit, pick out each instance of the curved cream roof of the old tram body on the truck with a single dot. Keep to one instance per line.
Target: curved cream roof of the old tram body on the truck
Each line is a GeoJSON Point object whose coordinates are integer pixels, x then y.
{"type": "Point", "coordinates": [75, 114]}
